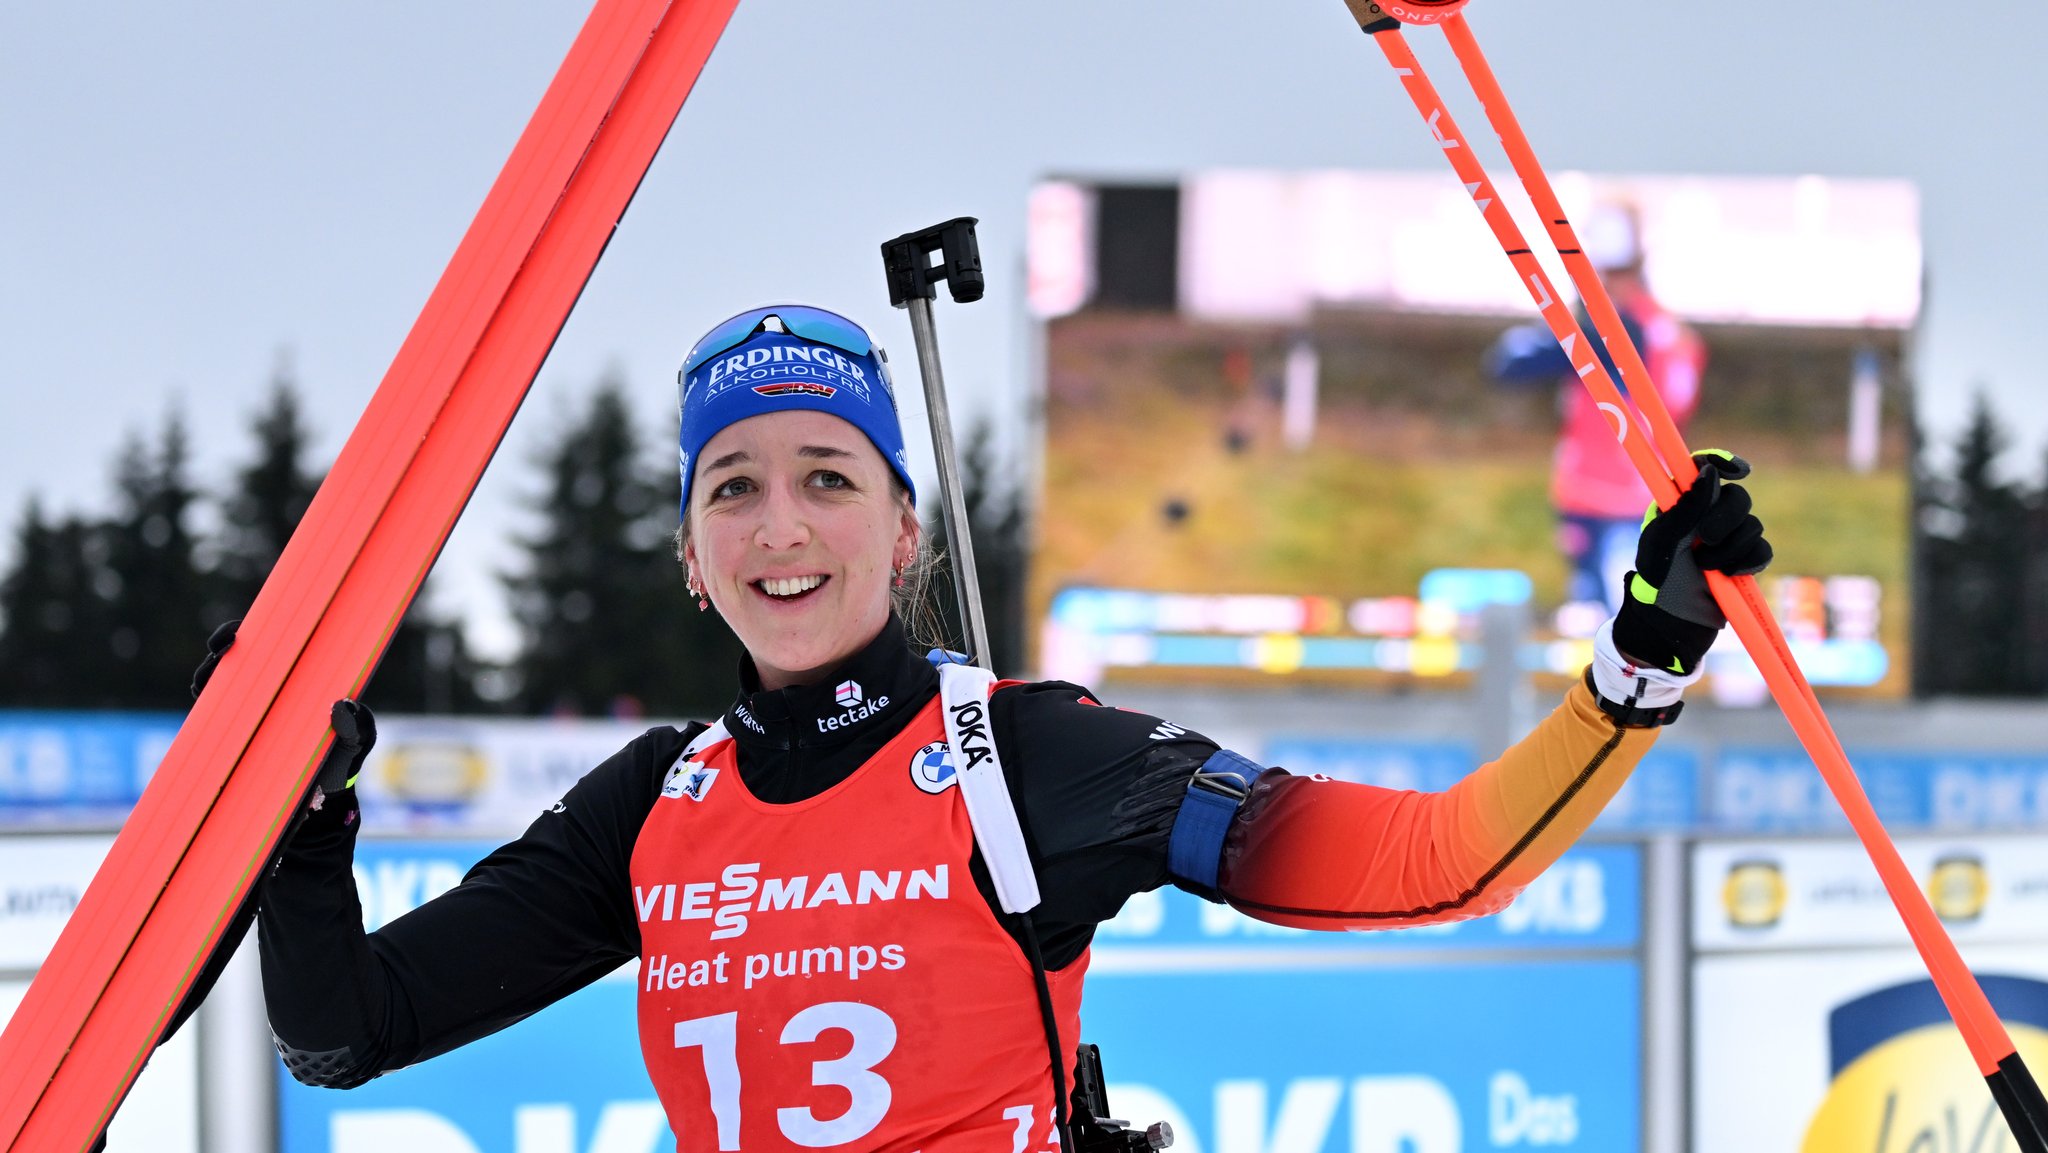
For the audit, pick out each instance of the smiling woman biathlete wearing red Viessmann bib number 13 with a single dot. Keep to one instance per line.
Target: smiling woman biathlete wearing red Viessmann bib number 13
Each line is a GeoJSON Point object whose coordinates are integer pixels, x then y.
{"type": "Point", "coordinates": [822, 955]}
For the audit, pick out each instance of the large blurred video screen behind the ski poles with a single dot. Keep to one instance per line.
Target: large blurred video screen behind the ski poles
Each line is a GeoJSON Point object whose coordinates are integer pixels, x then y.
{"type": "Point", "coordinates": [1299, 425]}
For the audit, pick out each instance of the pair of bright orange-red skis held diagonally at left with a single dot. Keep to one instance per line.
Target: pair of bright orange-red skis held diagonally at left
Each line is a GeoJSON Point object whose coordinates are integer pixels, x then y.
{"type": "Point", "coordinates": [247, 753]}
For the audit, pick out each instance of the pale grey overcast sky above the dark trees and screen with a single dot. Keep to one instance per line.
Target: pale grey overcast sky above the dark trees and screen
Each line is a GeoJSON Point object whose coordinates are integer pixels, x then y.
{"type": "Point", "coordinates": [194, 191]}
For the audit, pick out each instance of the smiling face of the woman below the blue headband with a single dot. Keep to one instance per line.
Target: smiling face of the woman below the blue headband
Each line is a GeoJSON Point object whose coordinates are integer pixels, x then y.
{"type": "Point", "coordinates": [796, 531]}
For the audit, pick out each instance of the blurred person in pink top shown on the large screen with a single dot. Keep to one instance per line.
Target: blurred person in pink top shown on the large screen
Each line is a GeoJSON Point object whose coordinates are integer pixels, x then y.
{"type": "Point", "coordinates": [1594, 488]}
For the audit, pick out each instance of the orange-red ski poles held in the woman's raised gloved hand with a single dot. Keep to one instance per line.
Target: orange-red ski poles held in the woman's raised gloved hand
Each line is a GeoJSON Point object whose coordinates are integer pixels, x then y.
{"type": "Point", "coordinates": [1988, 1039]}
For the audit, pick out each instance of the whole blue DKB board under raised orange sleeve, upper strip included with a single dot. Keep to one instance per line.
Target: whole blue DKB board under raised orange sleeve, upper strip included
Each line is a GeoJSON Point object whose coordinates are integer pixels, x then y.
{"type": "Point", "coordinates": [1252, 1039]}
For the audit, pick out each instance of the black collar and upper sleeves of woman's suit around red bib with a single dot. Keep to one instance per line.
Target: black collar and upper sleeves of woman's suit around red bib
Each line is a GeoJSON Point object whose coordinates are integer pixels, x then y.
{"type": "Point", "coordinates": [552, 912]}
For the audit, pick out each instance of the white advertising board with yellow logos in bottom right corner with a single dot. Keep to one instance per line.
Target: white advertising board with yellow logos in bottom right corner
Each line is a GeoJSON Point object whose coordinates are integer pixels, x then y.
{"type": "Point", "coordinates": [1818, 1029]}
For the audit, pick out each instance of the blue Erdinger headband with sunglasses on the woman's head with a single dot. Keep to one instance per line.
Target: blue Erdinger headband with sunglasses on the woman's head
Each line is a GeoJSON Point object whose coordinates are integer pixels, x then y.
{"type": "Point", "coordinates": [787, 357]}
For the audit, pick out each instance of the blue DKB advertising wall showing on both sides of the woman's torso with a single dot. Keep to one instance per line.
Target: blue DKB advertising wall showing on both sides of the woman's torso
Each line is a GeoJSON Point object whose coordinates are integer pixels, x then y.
{"type": "Point", "coordinates": [1502, 1033]}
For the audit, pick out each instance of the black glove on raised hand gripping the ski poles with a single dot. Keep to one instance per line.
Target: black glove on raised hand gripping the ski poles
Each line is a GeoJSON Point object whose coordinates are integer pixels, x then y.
{"type": "Point", "coordinates": [1668, 617]}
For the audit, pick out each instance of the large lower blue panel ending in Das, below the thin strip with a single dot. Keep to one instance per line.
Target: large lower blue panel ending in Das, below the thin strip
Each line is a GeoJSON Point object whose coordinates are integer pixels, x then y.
{"type": "Point", "coordinates": [1398, 1060]}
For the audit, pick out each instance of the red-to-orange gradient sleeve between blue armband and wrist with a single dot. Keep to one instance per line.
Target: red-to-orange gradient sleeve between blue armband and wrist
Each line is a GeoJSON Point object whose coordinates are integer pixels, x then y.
{"type": "Point", "coordinates": [1332, 855]}
